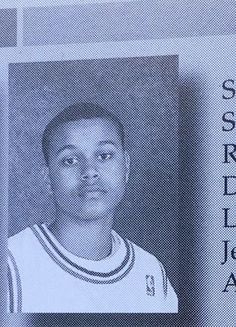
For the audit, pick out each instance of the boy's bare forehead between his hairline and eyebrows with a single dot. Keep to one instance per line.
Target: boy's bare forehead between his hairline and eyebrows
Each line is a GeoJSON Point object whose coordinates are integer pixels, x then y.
{"type": "Point", "coordinates": [85, 130]}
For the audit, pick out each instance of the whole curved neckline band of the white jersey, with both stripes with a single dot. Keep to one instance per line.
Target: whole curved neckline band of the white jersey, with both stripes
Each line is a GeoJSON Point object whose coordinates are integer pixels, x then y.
{"type": "Point", "coordinates": [108, 270]}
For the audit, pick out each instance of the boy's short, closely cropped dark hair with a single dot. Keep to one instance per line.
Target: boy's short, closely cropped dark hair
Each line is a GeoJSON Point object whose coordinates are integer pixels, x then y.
{"type": "Point", "coordinates": [75, 112]}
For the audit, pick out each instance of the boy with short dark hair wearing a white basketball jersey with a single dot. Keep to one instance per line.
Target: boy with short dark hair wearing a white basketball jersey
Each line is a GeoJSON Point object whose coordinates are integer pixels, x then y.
{"type": "Point", "coordinates": [78, 263]}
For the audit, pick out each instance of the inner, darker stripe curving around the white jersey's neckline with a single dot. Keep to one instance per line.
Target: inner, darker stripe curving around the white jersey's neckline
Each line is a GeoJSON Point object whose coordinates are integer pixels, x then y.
{"type": "Point", "coordinates": [84, 270]}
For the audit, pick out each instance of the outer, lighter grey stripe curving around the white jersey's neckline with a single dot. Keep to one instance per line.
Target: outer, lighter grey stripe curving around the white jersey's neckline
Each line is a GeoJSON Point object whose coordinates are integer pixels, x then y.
{"type": "Point", "coordinates": [77, 275]}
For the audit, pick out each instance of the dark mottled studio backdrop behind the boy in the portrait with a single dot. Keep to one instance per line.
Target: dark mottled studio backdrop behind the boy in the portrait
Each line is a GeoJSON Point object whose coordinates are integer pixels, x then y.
{"type": "Point", "coordinates": [143, 93]}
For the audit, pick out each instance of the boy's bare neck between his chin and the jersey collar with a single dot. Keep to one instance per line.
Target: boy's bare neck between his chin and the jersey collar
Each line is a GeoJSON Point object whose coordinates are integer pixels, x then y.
{"type": "Point", "coordinates": [89, 239]}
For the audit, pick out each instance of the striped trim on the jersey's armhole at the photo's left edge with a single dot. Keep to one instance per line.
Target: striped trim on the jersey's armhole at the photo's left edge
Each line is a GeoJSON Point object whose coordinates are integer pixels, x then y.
{"type": "Point", "coordinates": [12, 294]}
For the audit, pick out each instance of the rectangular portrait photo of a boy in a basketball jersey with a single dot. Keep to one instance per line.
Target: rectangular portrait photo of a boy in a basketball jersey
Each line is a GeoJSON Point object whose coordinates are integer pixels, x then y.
{"type": "Point", "coordinates": [93, 186]}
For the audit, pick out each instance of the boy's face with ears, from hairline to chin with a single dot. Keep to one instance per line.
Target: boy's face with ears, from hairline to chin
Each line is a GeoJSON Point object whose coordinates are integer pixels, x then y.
{"type": "Point", "coordinates": [88, 168]}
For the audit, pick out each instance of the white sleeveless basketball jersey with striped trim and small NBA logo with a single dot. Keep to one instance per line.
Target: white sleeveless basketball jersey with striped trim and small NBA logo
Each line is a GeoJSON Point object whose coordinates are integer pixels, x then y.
{"type": "Point", "coordinates": [44, 277]}
